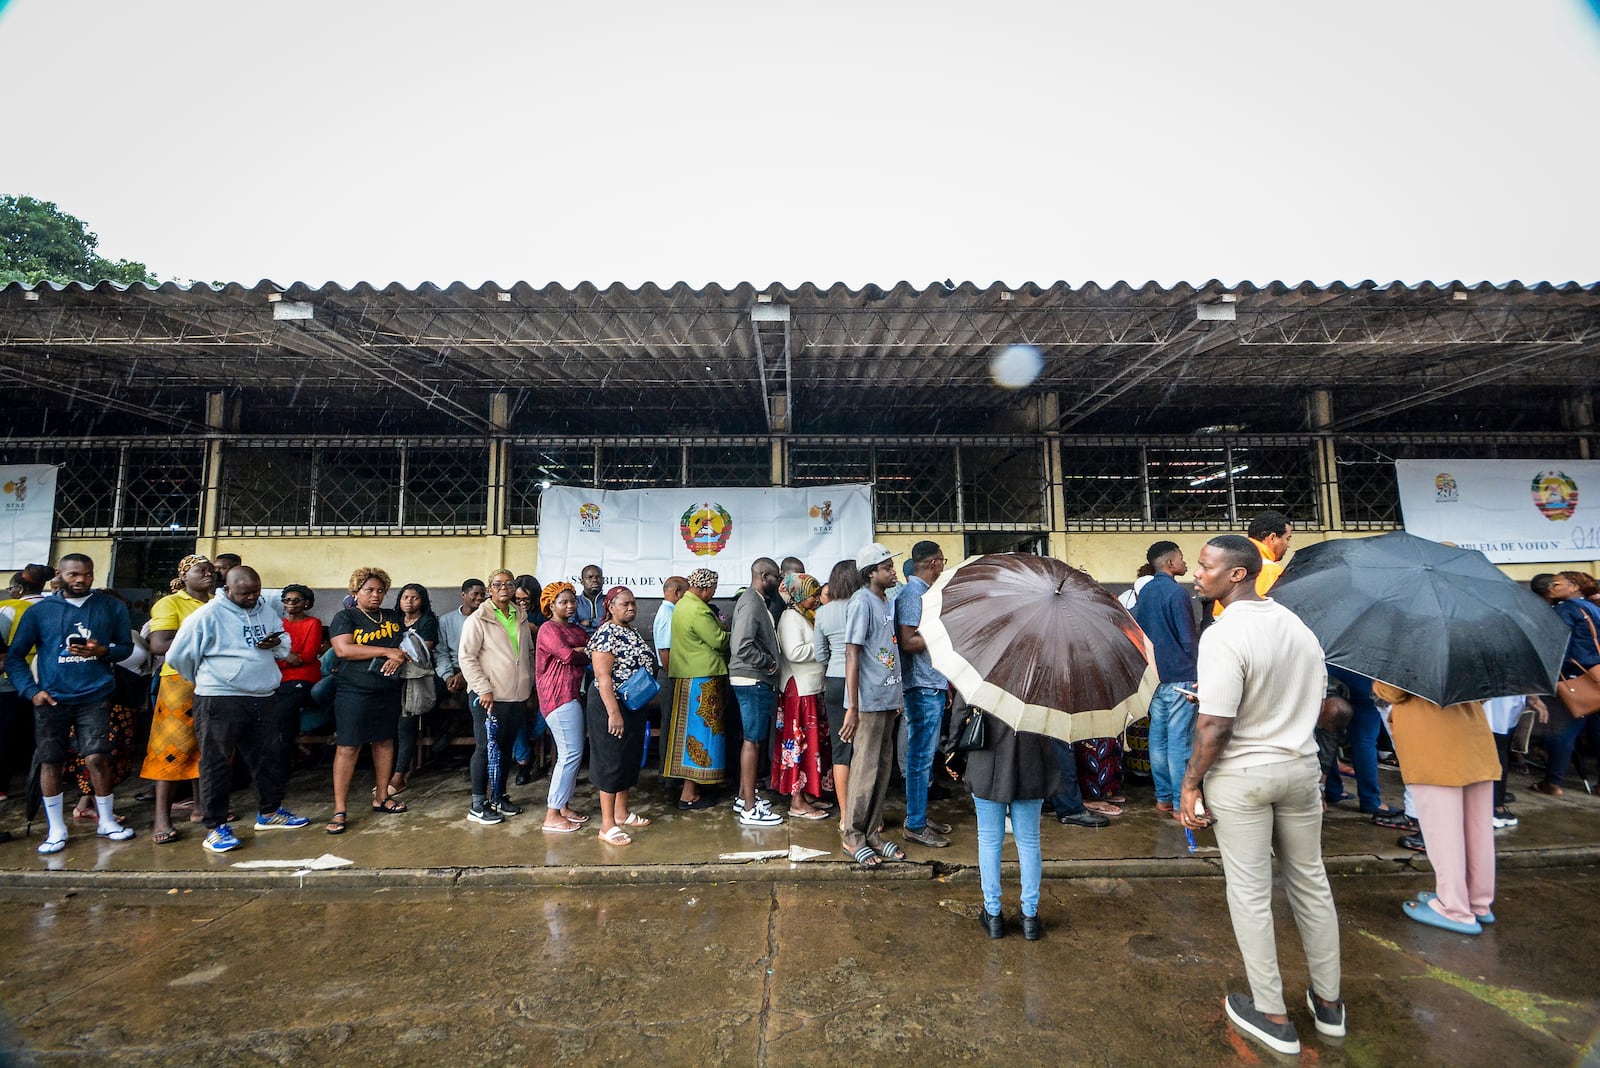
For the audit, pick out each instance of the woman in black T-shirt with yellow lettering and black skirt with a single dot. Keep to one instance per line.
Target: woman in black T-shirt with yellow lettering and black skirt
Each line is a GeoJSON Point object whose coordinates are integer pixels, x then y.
{"type": "Point", "coordinates": [367, 701]}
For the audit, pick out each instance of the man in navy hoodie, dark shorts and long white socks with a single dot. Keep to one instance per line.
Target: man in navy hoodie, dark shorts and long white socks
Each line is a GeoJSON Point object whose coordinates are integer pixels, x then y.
{"type": "Point", "coordinates": [79, 636]}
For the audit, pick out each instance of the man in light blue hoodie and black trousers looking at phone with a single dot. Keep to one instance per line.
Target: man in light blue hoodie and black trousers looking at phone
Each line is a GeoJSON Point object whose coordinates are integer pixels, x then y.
{"type": "Point", "coordinates": [231, 650]}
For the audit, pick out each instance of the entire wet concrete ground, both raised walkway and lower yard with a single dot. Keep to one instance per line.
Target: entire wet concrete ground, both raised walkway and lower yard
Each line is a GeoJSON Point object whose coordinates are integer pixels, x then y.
{"type": "Point", "coordinates": [500, 946]}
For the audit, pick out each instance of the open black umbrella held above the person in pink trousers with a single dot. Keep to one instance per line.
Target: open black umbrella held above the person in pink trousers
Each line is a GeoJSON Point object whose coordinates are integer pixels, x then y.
{"type": "Point", "coordinates": [1433, 620]}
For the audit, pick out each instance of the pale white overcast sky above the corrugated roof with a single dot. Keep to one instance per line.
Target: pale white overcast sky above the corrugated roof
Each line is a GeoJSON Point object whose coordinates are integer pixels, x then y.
{"type": "Point", "coordinates": [526, 140]}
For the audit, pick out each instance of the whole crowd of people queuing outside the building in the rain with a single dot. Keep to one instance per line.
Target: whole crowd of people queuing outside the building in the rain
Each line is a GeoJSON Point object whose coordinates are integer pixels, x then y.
{"type": "Point", "coordinates": [806, 687]}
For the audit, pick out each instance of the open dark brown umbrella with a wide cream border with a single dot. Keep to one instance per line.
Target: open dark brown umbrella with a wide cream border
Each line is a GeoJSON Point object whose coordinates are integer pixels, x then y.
{"type": "Point", "coordinates": [1039, 645]}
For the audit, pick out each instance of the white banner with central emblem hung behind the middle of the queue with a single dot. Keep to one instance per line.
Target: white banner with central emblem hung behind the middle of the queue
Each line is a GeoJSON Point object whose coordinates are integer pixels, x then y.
{"type": "Point", "coordinates": [642, 536]}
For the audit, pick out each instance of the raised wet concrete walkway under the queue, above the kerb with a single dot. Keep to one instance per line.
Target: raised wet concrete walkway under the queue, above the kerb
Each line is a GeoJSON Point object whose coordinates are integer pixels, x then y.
{"type": "Point", "coordinates": [436, 847]}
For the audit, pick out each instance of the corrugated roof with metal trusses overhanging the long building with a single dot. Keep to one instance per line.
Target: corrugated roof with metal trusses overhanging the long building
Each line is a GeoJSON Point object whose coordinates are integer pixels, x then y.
{"type": "Point", "coordinates": [900, 359]}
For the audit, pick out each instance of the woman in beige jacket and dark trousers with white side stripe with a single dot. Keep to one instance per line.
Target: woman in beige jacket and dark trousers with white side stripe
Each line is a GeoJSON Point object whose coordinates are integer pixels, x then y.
{"type": "Point", "coordinates": [497, 661]}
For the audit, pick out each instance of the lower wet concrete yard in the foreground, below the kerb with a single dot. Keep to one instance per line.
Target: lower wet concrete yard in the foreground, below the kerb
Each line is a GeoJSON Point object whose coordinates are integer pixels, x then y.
{"type": "Point", "coordinates": [863, 973]}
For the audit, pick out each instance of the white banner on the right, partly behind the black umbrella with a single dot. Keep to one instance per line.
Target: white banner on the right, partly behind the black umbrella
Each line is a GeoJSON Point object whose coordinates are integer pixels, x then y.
{"type": "Point", "coordinates": [1510, 511]}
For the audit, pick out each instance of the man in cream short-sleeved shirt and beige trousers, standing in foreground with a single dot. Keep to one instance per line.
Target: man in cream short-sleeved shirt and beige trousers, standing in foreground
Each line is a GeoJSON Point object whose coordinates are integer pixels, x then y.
{"type": "Point", "coordinates": [1262, 688]}
